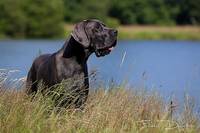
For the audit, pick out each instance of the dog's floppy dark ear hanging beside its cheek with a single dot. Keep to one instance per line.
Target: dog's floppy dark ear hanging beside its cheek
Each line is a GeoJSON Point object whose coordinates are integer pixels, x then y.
{"type": "Point", "coordinates": [80, 35]}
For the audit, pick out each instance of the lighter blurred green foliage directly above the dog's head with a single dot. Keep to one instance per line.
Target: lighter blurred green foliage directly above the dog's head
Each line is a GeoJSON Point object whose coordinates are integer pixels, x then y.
{"type": "Point", "coordinates": [78, 10]}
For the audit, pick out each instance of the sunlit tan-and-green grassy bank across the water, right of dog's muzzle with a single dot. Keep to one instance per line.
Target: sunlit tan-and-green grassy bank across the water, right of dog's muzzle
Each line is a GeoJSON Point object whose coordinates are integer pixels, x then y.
{"type": "Point", "coordinates": [160, 32]}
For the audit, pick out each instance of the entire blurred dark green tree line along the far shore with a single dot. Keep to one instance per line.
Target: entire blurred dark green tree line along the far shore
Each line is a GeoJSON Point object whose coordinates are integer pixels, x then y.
{"type": "Point", "coordinates": [45, 18]}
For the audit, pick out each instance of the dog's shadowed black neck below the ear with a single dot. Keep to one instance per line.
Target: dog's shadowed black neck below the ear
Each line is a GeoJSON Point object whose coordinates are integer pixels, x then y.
{"type": "Point", "coordinates": [76, 50]}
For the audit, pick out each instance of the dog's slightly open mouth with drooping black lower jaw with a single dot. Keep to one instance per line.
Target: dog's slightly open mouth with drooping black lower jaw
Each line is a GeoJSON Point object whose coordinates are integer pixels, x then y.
{"type": "Point", "coordinates": [106, 50]}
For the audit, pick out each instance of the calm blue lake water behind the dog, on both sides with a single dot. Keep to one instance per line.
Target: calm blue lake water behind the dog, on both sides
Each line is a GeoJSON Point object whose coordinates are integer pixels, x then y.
{"type": "Point", "coordinates": [171, 67]}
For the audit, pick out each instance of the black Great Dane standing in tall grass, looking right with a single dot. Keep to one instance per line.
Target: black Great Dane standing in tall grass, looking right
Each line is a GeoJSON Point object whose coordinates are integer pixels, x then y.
{"type": "Point", "coordinates": [70, 61]}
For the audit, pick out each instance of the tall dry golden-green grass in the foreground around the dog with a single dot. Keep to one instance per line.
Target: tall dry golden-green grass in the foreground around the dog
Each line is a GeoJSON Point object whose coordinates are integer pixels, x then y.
{"type": "Point", "coordinates": [113, 110]}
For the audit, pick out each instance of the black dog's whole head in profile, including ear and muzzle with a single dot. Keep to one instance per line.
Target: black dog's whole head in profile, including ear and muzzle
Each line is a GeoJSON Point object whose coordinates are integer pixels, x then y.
{"type": "Point", "coordinates": [94, 34]}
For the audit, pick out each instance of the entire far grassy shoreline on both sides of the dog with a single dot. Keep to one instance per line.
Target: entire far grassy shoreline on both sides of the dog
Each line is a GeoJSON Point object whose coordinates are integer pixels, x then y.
{"type": "Point", "coordinates": [139, 32]}
